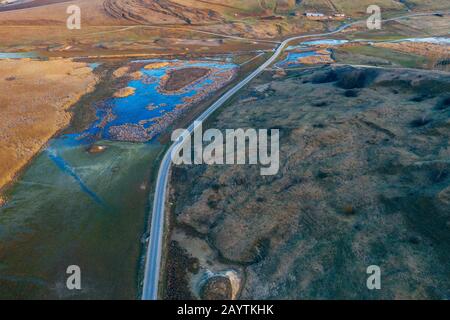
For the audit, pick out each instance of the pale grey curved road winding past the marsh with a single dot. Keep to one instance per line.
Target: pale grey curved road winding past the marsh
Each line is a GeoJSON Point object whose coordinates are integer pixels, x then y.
{"type": "Point", "coordinates": [153, 259]}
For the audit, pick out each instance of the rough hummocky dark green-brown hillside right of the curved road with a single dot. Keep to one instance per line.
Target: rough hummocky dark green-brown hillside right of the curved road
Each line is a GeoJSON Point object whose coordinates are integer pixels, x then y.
{"type": "Point", "coordinates": [364, 180]}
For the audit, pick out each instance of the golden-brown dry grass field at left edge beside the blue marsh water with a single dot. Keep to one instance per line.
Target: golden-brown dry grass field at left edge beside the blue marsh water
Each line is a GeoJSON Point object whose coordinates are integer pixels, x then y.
{"type": "Point", "coordinates": [34, 104]}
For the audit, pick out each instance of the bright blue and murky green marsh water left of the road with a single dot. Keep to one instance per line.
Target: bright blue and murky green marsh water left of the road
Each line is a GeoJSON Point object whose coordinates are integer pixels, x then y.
{"type": "Point", "coordinates": [89, 209]}
